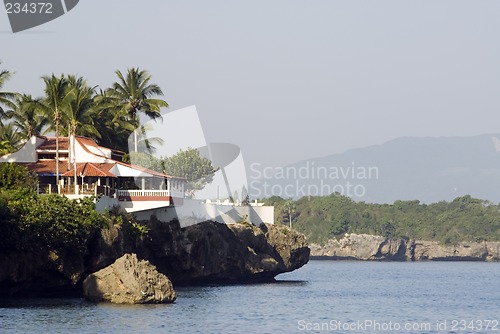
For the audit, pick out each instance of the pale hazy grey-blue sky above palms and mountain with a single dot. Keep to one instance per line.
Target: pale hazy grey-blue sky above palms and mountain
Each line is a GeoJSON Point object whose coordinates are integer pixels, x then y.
{"type": "Point", "coordinates": [285, 80]}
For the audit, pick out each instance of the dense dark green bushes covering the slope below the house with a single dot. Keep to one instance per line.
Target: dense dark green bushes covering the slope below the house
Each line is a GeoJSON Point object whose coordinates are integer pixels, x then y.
{"type": "Point", "coordinates": [32, 222]}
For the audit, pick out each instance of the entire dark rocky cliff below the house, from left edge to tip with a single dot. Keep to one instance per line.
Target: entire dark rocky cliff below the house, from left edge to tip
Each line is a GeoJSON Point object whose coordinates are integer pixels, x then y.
{"type": "Point", "coordinates": [208, 252]}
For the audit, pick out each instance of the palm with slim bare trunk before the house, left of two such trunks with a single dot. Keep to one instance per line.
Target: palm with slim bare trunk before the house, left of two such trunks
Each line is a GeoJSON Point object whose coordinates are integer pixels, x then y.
{"type": "Point", "coordinates": [57, 97]}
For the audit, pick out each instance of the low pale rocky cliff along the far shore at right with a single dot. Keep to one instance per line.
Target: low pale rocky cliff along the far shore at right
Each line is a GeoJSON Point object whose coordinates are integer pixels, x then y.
{"type": "Point", "coordinates": [377, 248]}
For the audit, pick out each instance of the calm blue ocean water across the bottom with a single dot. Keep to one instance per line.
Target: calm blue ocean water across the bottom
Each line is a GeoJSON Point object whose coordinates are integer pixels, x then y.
{"type": "Point", "coordinates": [321, 297]}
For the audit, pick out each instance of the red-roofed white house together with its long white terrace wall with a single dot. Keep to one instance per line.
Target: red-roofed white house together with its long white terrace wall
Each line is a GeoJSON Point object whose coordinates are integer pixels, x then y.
{"type": "Point", "coordinates": [85, 169]}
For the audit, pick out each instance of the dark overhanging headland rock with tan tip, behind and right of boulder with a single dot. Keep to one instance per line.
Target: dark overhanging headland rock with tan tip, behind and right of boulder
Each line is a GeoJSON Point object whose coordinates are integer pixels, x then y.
{"type": "Point", "coordinates": [211, 252]}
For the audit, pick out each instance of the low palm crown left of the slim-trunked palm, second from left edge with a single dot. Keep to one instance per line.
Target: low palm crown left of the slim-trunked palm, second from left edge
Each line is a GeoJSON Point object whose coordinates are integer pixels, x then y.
{"type": "Point", "coordinates": [27, 116]}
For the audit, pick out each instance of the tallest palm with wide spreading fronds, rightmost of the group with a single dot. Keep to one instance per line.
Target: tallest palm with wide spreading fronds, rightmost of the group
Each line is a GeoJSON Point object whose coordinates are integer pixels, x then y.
{"type": "Point", "coordinates": [134, 93]}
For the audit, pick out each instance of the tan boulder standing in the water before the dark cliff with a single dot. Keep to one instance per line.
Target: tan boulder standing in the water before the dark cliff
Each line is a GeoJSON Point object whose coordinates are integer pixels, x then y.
{"type": "Point", "coordinates": [129, 281]}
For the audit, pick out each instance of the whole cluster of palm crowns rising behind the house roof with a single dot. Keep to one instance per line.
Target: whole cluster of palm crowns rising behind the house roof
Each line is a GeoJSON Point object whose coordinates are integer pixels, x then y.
{"type": "Point", "coordinates": [70, 106]}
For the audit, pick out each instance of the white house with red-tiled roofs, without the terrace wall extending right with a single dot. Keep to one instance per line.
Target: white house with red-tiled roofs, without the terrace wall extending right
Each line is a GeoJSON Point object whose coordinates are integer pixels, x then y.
{"type": "Point", "coordinates": [85, 168]}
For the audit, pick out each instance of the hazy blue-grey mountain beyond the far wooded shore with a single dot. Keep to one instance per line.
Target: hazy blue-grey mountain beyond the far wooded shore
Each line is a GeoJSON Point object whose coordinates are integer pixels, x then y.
{"type": "Point", "coordinates": [408, 168]}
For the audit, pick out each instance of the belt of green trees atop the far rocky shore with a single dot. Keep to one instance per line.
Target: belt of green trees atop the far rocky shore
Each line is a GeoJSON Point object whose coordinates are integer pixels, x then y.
{"type": "Point", "coordinates": [463, 219]}
